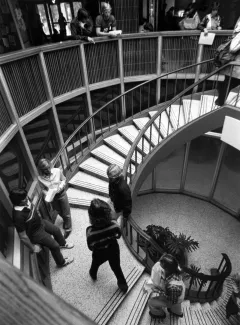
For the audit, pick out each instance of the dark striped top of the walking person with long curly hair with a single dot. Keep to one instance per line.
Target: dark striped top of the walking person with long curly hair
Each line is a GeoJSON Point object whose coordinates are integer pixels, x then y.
{"type": "Point", "coordinates": [100, 238]}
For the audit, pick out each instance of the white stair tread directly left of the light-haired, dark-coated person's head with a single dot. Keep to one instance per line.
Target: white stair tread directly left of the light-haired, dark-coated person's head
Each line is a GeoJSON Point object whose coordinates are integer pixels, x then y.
{"type": "Point", "coordinates": [95, 167]}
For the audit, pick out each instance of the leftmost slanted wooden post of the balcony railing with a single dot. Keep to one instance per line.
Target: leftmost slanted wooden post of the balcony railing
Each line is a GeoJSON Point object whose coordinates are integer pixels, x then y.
{"type": "Point", "coordinates": [14, 116]}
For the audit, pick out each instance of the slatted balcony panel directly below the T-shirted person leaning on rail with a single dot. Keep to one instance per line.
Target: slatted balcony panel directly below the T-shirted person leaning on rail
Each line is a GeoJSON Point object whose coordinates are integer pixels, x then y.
{"type": "Point", "coordinates": [102, 61]}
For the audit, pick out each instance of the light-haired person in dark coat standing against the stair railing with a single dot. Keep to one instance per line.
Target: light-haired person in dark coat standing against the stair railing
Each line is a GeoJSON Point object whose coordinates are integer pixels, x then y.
{"type": "Point", "coordinates": [119, 193]}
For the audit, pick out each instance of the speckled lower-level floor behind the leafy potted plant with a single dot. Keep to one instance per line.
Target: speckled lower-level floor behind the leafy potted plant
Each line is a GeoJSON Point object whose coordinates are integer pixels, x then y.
{"type": "Point", "coordinates": [216, 231]}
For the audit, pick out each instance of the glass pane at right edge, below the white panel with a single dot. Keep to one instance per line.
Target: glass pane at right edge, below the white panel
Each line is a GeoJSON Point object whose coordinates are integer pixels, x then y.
{"type": "Point", "coordinates": [227, 191]}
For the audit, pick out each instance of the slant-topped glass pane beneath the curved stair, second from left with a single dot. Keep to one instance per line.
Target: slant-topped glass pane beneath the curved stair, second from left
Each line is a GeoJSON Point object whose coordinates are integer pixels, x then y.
{"type": "Point", "coordinates": [169, 170]}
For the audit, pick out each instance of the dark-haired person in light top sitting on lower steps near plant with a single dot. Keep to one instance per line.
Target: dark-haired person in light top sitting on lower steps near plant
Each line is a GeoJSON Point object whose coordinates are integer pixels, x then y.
{"type": "Point", "coordinates": [167, 282]}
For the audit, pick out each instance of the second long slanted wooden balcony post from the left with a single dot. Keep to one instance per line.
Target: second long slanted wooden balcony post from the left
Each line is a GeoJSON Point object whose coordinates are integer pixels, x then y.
{"type": "Point", "coordinates": [55, 120]}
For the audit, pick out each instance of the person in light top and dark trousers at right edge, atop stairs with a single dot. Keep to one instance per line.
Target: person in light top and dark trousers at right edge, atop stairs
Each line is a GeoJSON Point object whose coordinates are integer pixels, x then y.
{"type": "Point", "coordinates": [232, 75]}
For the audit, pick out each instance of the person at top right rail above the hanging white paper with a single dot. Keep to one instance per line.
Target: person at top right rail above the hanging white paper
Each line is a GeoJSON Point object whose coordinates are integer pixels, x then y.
{"type": "Point", "coordinates": [211, 21]}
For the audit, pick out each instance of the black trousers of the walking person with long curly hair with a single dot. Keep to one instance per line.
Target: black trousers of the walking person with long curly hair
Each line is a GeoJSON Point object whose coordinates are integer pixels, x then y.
{"type": "Point", "coordinates": [110, 254]}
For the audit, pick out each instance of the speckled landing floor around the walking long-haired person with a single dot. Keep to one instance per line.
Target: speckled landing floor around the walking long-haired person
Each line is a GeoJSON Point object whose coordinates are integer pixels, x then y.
{"type": "Point", "coordinates": [73, 283]}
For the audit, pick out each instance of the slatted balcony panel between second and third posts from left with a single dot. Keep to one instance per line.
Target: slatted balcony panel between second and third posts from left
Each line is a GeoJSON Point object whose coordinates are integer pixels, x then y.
{"type": "Point", "coordinates": [64, 70]}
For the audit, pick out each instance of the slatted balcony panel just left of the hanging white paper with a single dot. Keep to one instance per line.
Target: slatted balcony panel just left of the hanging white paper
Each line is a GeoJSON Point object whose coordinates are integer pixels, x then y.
{"type": "Point", "coordinates": [179, 52]}
